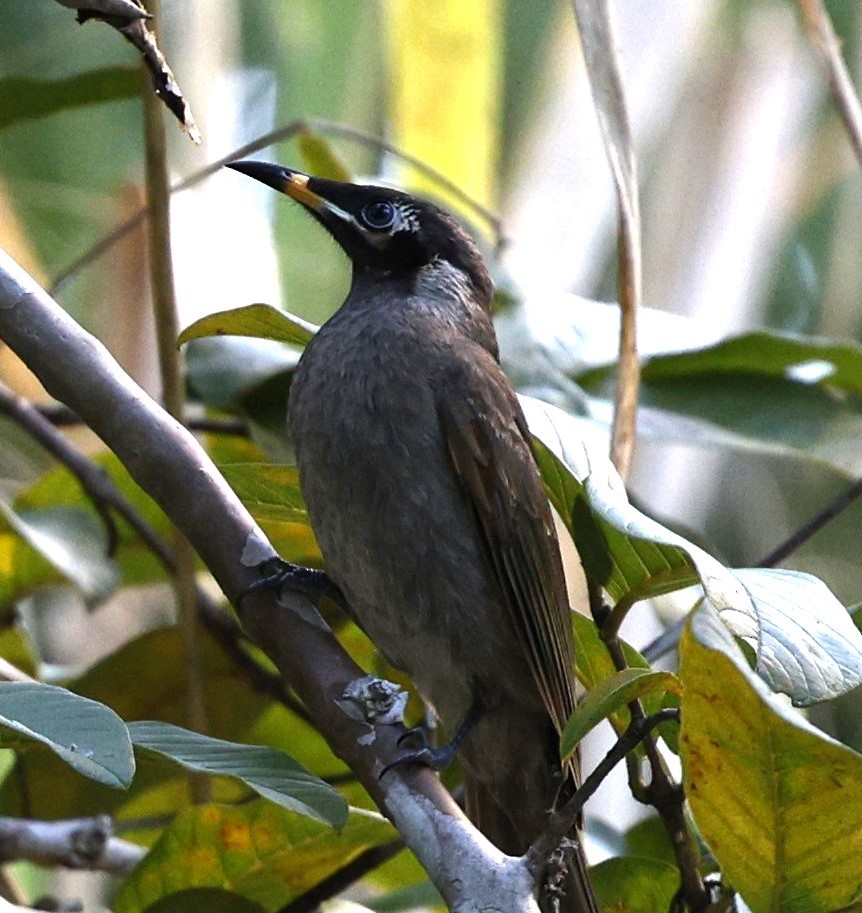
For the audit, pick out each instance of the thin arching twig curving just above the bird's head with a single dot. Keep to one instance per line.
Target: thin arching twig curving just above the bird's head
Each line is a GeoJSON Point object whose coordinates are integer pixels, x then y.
{"type": "Point", "coordinates": [268, 139]}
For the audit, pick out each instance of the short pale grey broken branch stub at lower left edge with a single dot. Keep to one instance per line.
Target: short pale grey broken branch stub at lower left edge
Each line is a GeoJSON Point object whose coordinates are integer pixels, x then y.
{"type": "Point", "coordinates": [77, 843]}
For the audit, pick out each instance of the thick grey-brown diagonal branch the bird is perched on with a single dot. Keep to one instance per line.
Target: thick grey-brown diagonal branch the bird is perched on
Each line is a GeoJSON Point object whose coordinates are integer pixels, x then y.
{"type": "Point", "coordinates": [167, 462]}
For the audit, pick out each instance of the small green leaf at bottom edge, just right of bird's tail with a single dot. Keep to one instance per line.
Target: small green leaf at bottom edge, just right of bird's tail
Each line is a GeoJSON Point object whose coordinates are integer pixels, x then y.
{"type": "Point", "coordinates": [635, 885]}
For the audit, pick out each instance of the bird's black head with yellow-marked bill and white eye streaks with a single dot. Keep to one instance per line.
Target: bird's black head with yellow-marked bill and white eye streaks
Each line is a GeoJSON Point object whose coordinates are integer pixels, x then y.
{"type": "Point", "coordinates": [383, 231]}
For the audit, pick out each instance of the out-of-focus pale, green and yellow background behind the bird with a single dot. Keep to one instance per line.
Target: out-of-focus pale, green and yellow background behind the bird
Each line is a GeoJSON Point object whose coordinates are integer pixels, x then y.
{"type": "Point", "coordinates": [751, 201]}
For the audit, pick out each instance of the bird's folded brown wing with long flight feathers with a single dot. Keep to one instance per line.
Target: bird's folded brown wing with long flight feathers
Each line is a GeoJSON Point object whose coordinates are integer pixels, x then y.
{"type": "Point", "coordinates": [489, 444]}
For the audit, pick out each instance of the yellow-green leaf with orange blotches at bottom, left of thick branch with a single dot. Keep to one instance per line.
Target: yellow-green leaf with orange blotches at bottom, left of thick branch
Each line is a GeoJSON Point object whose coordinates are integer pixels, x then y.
{"type": "Point", "coordinates": [258, 850]}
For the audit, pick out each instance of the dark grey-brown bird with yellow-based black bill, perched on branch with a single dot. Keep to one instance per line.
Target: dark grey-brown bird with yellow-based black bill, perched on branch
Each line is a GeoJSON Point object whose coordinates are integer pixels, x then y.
{"type": "Point", "coordinates": [416, 465]}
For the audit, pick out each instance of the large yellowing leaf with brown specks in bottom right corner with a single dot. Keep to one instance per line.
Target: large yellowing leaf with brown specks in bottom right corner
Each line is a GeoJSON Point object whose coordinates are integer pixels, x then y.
{"type": "Point", "coordinates": [778, 802]}
